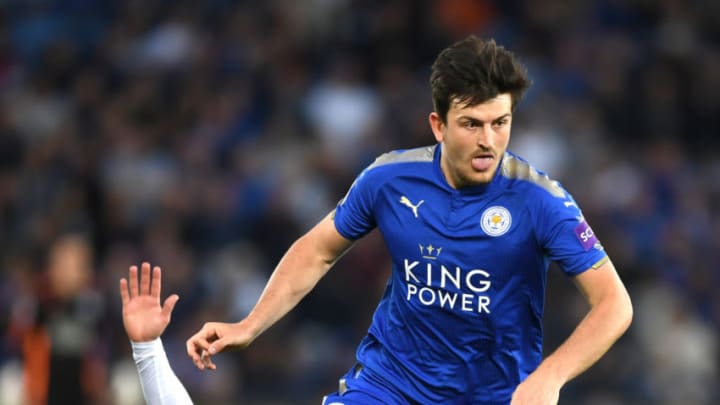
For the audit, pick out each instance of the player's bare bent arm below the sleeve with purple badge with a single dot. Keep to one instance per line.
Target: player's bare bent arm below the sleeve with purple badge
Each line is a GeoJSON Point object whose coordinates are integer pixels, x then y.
{"type": "Point", "coordinates": [609, 317]}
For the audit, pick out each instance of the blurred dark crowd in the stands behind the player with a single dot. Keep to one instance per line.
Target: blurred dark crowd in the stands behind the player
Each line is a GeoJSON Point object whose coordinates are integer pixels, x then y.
{"type": "Point", "coordinates": [205, 136]}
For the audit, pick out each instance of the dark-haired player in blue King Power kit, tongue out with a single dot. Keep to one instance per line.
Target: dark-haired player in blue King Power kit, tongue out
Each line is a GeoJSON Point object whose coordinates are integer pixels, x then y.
{"type": "Point", "coordinates": [471, 229]}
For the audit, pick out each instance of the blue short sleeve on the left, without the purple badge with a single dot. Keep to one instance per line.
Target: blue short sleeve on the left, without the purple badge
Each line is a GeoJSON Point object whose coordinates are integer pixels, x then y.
{"type": "Point", "coordinates": [354, 217]}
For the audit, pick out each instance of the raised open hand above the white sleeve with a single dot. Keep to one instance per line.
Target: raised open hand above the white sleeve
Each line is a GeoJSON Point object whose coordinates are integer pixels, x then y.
{"type": "Point", "coordinates": [143, 317]}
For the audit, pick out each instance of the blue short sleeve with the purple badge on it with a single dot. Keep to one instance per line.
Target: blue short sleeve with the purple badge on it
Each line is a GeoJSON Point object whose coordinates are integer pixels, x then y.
{"type": "Point", "coordinates": [566, 236]}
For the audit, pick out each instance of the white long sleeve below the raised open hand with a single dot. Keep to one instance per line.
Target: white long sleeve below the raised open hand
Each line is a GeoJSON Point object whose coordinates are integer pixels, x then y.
{"type": "Point", "coordinates": [159, 383]}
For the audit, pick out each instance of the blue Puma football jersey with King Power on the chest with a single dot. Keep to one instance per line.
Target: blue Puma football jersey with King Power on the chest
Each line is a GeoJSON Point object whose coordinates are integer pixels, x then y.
{"type": "Point", "coordinates": [460, 320]}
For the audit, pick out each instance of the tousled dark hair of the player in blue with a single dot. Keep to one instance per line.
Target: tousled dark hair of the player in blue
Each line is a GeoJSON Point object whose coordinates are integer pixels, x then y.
{"type": "Point", "coordinates": [473, 71]}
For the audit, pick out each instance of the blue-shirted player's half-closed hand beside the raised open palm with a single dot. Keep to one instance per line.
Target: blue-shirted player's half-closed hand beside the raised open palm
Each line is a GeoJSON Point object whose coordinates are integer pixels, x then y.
{"type": "Point", "coordinates": [214, 338]}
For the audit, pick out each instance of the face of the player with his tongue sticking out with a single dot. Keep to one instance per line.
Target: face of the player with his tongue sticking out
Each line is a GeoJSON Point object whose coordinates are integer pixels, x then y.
{"type": "Point", "coordinates": [474, 140]}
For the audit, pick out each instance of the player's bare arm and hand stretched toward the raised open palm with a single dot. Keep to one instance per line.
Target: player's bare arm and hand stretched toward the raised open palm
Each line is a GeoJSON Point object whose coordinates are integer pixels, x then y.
{"type": "Point", "coordinates": [302, 266]}
